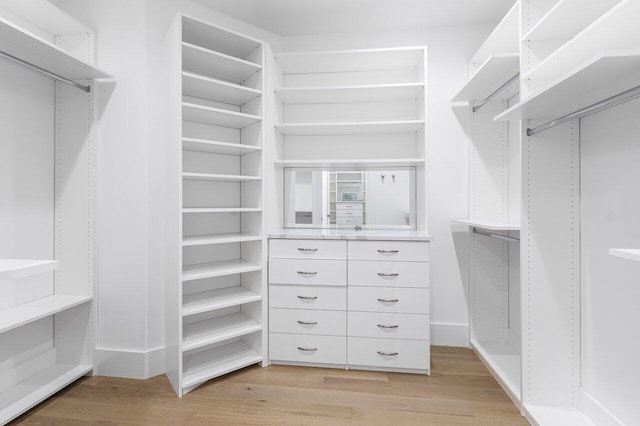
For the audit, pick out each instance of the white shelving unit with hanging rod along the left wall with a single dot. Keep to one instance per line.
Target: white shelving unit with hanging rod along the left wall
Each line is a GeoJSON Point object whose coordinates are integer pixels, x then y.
{"type": "Point", "coordinates": [46, 305]}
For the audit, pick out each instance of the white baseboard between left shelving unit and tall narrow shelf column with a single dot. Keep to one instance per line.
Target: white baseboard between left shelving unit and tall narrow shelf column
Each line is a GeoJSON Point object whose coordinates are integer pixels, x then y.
{"type": "Point", "coordinates": [131, 364]}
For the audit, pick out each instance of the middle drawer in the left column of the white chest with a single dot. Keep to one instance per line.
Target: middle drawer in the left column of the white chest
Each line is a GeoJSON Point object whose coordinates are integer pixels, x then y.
{"type": "Point", "coordinates": [307, 297]}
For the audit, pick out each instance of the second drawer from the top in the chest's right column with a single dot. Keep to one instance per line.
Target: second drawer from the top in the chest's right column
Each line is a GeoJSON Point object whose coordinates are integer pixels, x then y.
{"type": "Point", "coordinates": [389, 274]}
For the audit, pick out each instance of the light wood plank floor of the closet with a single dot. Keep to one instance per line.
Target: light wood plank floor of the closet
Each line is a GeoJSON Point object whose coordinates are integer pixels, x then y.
{"type": "Point", "coordinates": [460, 391]}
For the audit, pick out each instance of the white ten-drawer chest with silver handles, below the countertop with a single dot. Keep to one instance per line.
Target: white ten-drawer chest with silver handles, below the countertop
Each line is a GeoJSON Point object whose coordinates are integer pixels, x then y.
{"type": "Point", "coordinates": [349, 303]}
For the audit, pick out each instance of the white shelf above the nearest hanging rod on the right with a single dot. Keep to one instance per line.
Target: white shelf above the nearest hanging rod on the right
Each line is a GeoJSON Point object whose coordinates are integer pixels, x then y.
{"type": "Point", "coordinates": [596, 80]}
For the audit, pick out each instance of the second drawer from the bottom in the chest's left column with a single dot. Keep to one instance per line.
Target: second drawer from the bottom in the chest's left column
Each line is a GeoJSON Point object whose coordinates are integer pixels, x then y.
{"type": "Point", "coordinates": [304, 321]}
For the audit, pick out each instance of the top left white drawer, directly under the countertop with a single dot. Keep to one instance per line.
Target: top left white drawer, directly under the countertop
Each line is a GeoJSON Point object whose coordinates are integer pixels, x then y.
{"type": "Point", "coordinates": [307, 249]}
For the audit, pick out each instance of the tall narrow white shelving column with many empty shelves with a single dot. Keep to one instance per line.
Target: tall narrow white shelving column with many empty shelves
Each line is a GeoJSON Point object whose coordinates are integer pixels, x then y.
{"type": "Point", "coordinates": [215, 246]}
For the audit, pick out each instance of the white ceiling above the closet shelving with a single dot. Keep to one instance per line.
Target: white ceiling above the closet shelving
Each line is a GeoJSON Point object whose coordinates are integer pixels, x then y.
{"type": "Point", "coordinates": [301, 17]}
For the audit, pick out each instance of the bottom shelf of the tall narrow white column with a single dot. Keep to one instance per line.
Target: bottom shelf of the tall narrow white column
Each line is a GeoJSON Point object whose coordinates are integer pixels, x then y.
{"type": "Point", "coordinates": [209, 364]}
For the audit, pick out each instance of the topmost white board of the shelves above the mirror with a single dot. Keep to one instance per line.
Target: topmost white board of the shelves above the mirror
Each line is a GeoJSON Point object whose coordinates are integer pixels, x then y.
{"type": "Point", "coordinates": [349, 60]}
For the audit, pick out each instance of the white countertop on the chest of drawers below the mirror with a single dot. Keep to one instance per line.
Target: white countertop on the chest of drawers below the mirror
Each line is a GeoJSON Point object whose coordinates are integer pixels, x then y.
{"type": "Point", "coordinates": [351, 234]}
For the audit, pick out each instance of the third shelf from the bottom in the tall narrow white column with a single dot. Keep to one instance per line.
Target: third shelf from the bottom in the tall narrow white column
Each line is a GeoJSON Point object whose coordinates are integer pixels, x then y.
{"type": "Point", "coordinates": [198, 303]}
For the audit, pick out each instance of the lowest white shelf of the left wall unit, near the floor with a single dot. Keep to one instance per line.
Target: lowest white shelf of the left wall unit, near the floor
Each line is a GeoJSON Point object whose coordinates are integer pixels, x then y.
{"type": "Point", "coordinates": [32, 391]}
